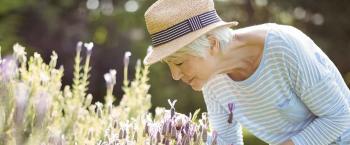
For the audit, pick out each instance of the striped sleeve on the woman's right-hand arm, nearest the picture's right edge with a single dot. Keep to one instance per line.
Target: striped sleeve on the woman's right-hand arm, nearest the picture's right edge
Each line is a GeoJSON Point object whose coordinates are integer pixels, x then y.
{"type": "Point", "coordinates": [315, 82]}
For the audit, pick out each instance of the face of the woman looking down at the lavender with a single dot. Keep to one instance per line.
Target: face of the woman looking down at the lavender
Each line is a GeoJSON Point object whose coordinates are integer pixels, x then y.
{"type": "Point", "coordinates": [192, 70]}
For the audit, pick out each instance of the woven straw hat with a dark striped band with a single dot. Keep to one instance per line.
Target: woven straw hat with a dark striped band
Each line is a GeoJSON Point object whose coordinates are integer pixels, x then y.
{"type": "Point", "coordinates": [174, 24]}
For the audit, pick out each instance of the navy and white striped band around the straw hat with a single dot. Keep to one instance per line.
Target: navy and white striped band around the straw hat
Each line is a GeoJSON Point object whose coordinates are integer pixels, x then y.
{"type": "Point", "coordinates": [185, 27]}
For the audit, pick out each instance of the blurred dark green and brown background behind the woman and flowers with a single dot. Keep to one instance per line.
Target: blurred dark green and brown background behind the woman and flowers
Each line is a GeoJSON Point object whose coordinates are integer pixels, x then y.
{"type": "Point", "coordinates": [116, 26]}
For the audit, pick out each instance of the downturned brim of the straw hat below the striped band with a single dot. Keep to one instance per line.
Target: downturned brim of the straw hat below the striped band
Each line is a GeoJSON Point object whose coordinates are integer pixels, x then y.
{"type": "Point", "coordinates": [162, 51]}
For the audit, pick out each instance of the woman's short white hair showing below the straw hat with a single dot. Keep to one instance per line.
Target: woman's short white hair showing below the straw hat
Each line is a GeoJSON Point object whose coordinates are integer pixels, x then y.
{"type": "Point", "coordinates": [200, 46]}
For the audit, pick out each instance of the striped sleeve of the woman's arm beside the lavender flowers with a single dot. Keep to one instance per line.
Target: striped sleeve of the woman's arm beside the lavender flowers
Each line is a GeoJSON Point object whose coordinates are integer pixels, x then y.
{"type": "Point", "coordinates": [228, 133]}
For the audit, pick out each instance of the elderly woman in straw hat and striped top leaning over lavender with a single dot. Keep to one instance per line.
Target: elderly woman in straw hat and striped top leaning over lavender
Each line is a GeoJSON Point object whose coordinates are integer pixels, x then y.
{"type": "Point", "coordinates": [272, 79]}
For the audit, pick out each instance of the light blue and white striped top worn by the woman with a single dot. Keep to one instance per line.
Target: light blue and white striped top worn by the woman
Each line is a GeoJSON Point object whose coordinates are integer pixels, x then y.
{"type": "Point", "coordinates": [296, 93]}
